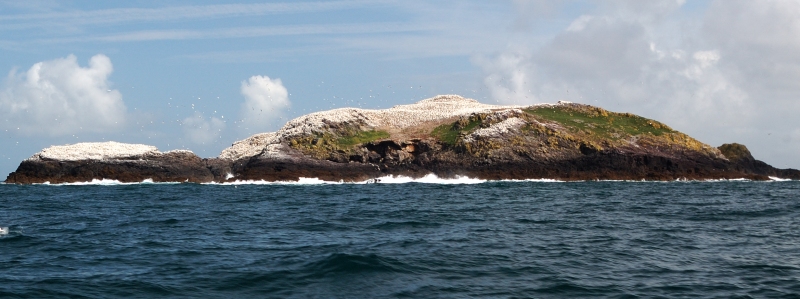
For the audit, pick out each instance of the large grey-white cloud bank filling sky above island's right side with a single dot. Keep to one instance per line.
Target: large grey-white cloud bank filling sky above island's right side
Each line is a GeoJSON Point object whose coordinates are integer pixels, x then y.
{"type": "Point", "coordinates": [727, 75]}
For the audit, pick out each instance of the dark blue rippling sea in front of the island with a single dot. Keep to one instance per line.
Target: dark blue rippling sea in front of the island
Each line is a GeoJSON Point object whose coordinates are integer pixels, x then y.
{"type": "Point", "coordinates": [490, 240]}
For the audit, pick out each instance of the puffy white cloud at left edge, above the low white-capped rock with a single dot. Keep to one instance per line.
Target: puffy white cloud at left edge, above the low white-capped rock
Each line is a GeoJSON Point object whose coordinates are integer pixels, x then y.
{"type": "Point", "coordinates": [59, 97]}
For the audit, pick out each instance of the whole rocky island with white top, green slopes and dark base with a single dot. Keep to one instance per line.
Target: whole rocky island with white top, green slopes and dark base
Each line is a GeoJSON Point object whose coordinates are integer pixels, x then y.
{"type": "Point", "coordinates": [446, 135]}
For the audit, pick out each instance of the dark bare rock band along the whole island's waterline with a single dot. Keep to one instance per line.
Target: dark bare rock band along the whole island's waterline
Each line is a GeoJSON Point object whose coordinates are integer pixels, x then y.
{"type": "Point", "coordinates": [414, 158]}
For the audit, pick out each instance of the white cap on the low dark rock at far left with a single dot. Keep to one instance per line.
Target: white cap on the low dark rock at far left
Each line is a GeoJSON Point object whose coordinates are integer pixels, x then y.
{"type": "Point", "coordinates": [95, 151]}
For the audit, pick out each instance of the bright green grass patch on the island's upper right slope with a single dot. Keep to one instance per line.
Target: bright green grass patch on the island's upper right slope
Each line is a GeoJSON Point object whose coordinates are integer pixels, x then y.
{"type": "Point", "coordinates": [599, 122]}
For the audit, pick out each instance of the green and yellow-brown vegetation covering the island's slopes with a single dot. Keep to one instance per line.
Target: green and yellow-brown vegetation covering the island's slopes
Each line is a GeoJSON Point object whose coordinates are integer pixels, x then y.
{"type": "Point", "coordinates": [550, 130]}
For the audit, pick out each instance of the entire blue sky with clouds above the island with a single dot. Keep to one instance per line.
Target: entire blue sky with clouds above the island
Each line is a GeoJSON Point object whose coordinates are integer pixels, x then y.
{"type": "Point", "coordinates": [200, 75]}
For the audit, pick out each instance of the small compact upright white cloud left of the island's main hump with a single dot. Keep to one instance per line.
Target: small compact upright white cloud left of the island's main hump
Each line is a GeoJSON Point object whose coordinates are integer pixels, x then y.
{"type": "Point", "coordinates": [264, 101]}
